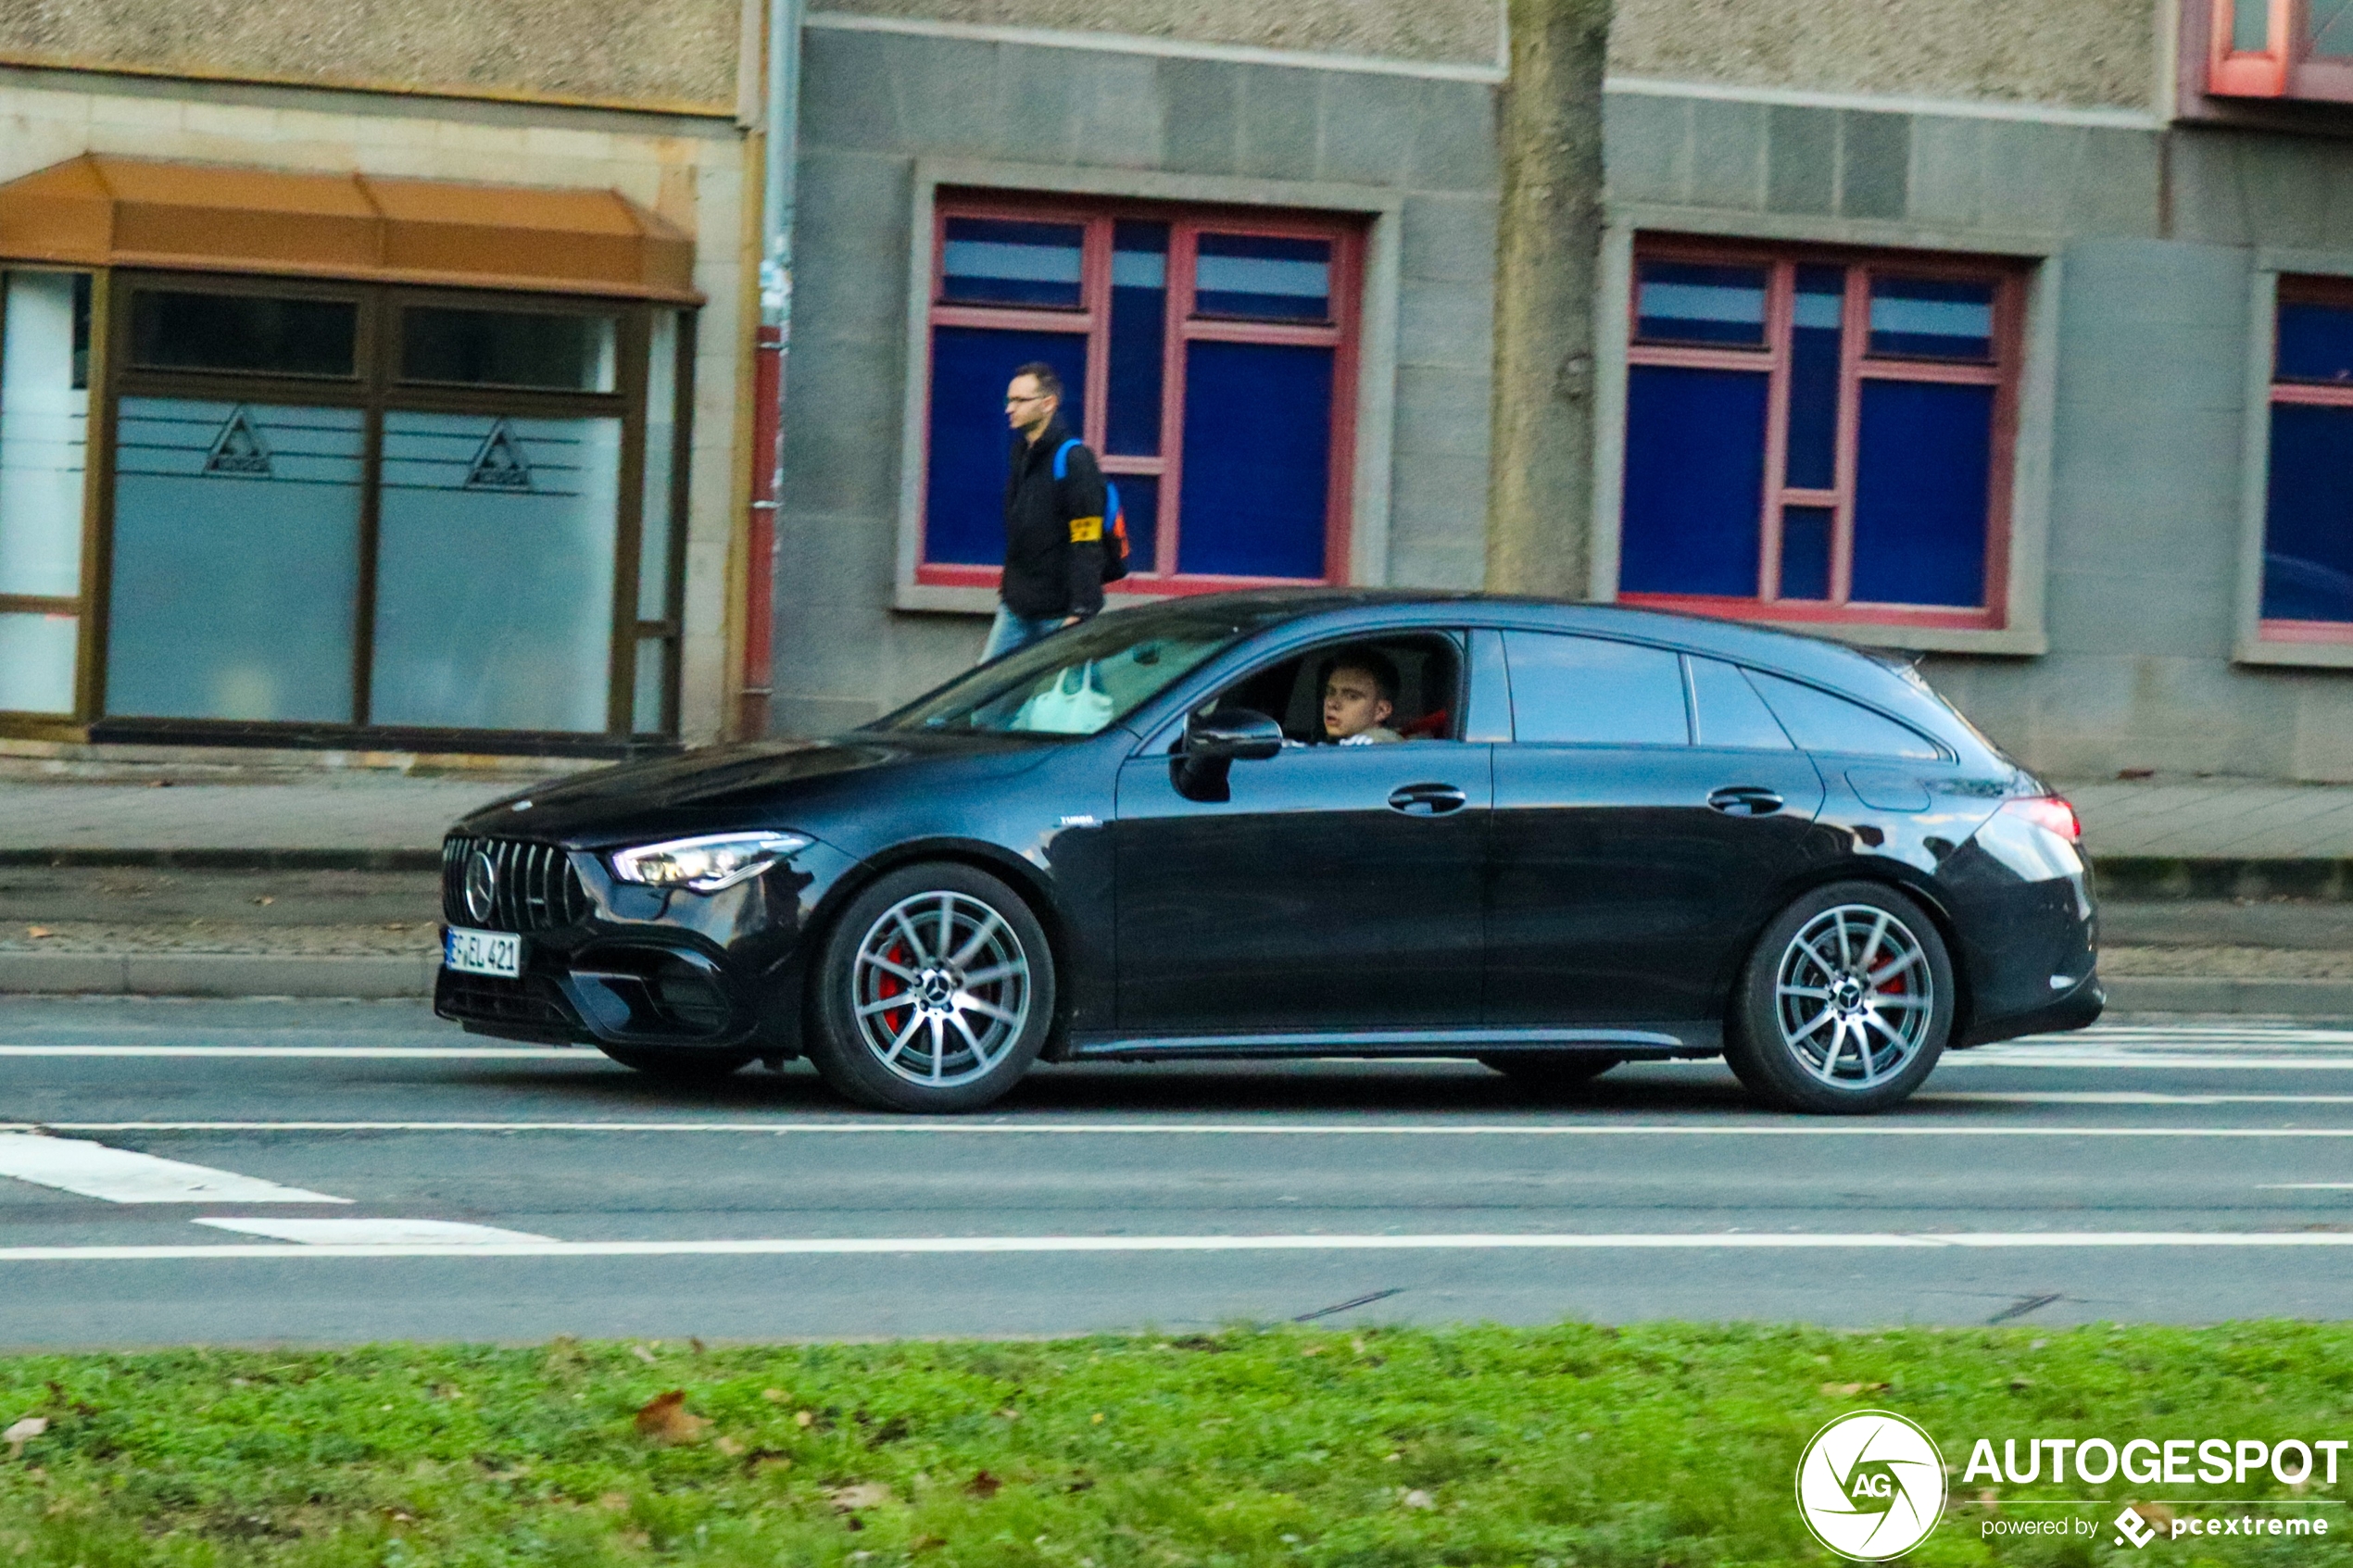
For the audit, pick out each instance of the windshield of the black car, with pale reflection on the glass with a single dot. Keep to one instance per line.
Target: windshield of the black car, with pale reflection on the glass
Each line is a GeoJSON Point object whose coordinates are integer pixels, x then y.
{"type": "Point", "coordinates": [1084, 681]}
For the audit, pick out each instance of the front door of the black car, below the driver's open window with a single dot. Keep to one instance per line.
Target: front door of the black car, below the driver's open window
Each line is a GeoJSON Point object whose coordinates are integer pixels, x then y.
{"type": "Point", "coordinates": [1333, 892]}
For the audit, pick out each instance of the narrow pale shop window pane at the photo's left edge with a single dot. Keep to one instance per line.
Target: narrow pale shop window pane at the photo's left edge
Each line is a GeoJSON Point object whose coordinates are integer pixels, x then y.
{"type": "Point", "coordinates": [44, 448]}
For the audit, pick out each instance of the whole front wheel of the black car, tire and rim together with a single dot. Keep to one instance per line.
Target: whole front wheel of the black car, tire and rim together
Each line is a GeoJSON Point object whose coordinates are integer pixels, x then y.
{"type": "Point", "coordinates": [980, 1000]}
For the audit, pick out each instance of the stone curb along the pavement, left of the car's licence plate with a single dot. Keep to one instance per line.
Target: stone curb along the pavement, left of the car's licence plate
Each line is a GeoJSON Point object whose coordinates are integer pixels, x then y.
{"type": "Point", "coordinates": [218, 974]}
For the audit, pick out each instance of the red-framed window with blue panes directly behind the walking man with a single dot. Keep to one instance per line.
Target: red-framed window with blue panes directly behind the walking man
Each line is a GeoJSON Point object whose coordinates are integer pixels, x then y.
{"type": "Point", "coordinates": [1206, 356]}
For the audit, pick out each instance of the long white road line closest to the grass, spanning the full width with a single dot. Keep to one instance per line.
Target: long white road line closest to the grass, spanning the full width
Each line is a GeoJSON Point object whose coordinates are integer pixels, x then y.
{"type": "Point", "coordinates": [1589, 1242]}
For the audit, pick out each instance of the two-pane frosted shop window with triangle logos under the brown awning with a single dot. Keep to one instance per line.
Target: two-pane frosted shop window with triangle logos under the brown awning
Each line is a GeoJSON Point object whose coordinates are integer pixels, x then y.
{"type": "Point", "coordinates": [394, 511]}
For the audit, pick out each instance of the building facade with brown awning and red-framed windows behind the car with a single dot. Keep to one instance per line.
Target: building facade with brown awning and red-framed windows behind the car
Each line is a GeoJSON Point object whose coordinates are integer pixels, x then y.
{"type": "Point", "coordinates": [389, 380]}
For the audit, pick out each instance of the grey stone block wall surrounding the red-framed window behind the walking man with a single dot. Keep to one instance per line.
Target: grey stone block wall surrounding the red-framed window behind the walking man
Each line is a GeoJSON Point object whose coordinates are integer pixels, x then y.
{"type": "Point", "coordinates": [876, 102]}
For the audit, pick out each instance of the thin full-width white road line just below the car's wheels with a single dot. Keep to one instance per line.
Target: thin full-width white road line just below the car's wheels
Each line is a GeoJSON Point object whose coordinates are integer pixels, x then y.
{"type": "Point", "coordinates": [1239, 1130]}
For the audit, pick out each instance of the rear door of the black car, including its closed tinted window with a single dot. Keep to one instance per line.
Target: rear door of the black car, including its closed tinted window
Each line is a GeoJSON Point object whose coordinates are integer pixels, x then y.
{"type": "Point", "coordinates": [1646, 812]}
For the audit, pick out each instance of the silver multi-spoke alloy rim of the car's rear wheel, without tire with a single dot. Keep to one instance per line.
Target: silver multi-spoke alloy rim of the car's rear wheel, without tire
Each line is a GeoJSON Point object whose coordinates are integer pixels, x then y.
{"type": "Point", "coordinates": [1855, 996]}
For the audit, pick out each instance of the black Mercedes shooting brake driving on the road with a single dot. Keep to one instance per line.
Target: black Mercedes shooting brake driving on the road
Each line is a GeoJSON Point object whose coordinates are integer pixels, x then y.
{"type": "Point", "coordinates": [1580, 836]}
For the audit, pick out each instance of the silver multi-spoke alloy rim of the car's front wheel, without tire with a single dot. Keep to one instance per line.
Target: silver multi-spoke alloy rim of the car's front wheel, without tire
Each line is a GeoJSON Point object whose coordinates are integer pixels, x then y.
{"type": "Point", "coordinates": [940, 989]}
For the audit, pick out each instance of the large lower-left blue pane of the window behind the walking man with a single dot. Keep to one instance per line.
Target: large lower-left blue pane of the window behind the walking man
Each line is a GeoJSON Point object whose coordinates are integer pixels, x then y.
{"type": "Point", "coordinates": [964, 497]}
